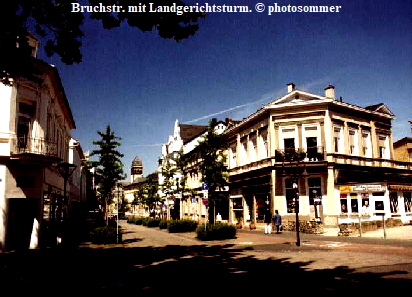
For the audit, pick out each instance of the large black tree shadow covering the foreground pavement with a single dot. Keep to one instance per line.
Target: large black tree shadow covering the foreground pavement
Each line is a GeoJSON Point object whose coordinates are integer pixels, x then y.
{"type": "Point", "coordinates": [182, 270]}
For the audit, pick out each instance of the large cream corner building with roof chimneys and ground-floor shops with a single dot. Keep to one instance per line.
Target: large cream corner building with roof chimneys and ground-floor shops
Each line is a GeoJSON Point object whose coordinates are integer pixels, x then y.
{"type": "Point", "coordinates": [337, 156]}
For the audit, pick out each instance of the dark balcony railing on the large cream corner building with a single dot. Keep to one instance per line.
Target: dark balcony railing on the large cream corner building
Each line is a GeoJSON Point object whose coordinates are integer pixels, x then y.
{"type": "Point", "coordinates": [309, 154]}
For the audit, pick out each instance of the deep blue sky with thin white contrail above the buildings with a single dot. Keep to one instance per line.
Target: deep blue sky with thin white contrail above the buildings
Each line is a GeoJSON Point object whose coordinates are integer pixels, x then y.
{"type": "Point", "coordinates": [140, 84]}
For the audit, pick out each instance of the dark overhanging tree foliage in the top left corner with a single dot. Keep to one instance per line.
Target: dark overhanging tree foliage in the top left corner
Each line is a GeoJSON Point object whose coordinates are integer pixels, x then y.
{"type": "Point", "coordinates": [60, 28]}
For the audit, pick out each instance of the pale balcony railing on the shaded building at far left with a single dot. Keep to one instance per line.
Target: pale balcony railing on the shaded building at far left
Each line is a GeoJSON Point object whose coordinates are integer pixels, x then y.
{"type": "Point", "coordinates": [38, 146]}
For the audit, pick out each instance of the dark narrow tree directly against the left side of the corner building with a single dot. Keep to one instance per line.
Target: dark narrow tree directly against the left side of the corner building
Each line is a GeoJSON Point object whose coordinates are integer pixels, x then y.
{"type": "Point", "coordinates": [212, 164]}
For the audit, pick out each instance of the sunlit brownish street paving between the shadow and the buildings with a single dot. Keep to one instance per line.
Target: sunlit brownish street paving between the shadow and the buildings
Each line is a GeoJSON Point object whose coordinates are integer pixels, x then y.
{"type": "Point", "coordinates": [320, 253]}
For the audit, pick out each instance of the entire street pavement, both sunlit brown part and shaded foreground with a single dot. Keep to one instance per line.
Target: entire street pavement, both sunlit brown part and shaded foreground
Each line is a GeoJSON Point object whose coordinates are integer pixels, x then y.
{"type": "Point", "coordinates": [152, 262]}
